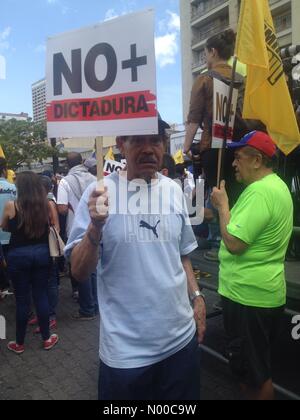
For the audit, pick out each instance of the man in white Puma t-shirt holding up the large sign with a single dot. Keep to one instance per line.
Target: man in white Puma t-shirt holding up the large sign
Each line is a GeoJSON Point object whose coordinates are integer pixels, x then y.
{"type": "Point", "coordinates": [148, 341]}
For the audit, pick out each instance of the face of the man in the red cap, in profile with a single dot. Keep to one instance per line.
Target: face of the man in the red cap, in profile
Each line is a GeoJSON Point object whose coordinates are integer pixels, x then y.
{"type": "Point", "coordinates": [245, 166]}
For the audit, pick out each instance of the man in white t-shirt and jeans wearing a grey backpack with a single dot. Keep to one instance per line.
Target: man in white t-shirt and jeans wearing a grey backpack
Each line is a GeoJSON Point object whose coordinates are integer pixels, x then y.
{"type": "Point", "coordinates": [70, 191]}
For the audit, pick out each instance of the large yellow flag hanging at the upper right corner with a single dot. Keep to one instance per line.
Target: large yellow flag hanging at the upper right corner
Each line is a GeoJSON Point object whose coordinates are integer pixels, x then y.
{"type": "Point", "coordinates": [267, 97]}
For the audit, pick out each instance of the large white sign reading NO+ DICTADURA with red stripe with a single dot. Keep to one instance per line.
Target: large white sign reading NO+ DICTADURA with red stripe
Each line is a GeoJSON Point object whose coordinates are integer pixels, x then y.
{"type": "Point", "coordinates": [101, 80]}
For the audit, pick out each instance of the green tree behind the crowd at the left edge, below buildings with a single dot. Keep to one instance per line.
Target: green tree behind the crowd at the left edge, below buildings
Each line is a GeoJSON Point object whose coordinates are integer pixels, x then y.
{"type": "Point", "coordinates": [24, 142]}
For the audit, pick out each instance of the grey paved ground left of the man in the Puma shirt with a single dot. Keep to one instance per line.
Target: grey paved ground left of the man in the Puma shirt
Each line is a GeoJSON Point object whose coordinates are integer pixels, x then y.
{"type": "Point", "coordinates": [68, 372]}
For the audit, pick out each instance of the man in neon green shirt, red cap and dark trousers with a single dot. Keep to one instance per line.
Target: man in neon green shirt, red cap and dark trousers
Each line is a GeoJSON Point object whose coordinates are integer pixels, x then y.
{"type": "Point", "coordinates": [256, 235]}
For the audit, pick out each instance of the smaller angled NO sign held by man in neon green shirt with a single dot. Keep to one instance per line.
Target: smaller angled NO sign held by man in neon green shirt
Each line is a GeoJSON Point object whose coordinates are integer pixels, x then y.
{"type": "Point", "coordinates": [221, 98]}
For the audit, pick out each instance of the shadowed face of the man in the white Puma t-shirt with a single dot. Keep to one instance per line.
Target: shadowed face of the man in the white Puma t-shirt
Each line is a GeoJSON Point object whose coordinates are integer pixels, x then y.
{"type": "Point", "coordinates": [144, 155]}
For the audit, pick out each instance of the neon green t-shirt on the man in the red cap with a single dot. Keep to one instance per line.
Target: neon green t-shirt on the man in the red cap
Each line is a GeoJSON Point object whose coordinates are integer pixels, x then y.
{"type": "Point", "coordinates": [262, 218]}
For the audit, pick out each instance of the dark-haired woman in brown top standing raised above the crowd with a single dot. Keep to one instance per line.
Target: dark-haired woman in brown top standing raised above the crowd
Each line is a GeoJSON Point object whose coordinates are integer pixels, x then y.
{"type": "Point", "coordinates": [219, 49]}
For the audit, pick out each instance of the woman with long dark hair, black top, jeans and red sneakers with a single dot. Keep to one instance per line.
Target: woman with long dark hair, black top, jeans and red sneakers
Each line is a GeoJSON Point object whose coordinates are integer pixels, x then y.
{"type": "Point", "coordinates": [29, 261]}
